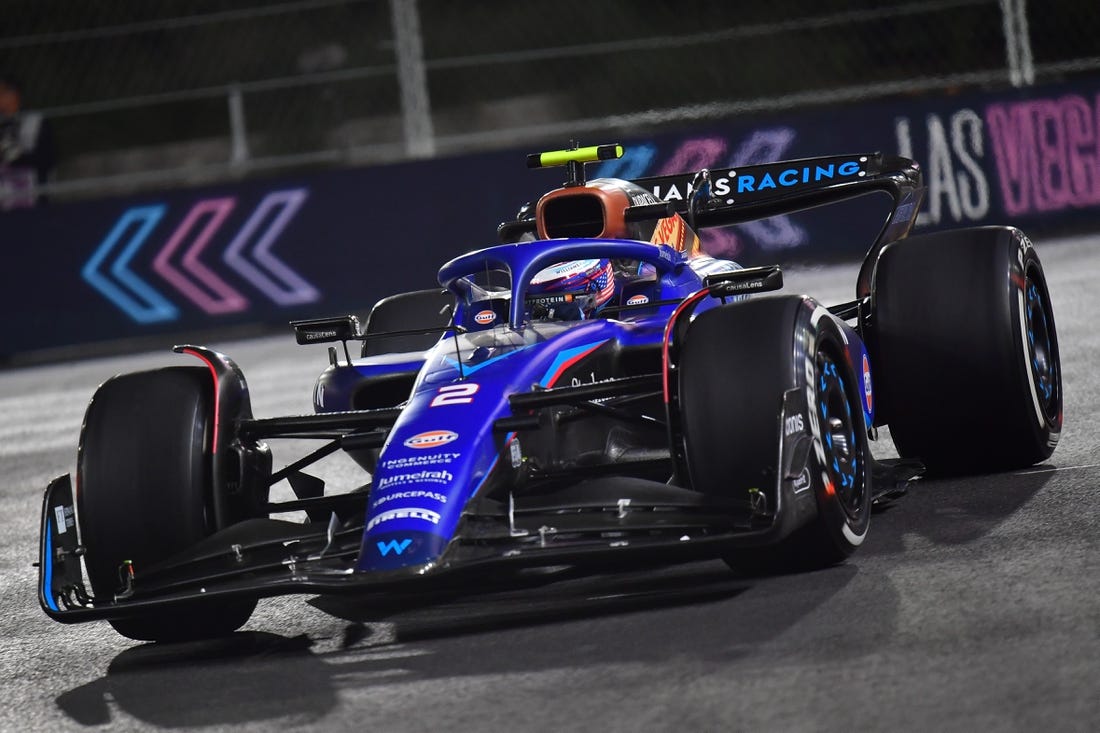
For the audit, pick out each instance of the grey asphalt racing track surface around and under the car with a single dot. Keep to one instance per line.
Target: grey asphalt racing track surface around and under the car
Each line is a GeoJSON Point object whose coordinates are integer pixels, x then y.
{"type": "Point", "coordinates": [975, 605]}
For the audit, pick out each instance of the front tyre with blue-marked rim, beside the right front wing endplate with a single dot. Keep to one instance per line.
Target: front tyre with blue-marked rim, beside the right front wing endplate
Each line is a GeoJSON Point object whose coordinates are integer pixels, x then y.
{"type": "Point", "coordinates": [735, 367]}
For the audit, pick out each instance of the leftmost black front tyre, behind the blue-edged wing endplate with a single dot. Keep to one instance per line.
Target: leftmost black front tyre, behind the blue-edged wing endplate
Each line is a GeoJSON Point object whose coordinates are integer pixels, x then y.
{"type": "Point", "coordinates": [144, 479]}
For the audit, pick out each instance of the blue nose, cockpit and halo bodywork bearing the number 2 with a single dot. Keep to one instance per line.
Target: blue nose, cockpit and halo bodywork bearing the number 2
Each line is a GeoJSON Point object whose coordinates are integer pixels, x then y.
{"type": "Point", "coordinates": [444, 448]}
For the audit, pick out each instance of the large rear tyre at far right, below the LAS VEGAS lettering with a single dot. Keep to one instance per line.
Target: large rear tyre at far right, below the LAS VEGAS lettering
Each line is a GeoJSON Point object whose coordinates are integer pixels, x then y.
{"type": "Point", "coordinates": [966, 353]}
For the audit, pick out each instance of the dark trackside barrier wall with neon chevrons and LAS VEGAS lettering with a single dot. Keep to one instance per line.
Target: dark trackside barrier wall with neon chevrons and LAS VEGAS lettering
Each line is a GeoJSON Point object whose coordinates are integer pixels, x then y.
{"type": "Point", "coordinates": [265, 253]}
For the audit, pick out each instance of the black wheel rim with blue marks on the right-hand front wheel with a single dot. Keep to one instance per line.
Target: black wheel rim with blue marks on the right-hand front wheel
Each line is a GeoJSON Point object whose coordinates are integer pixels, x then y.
{"type": "Point", "coordinates": [844, 466]}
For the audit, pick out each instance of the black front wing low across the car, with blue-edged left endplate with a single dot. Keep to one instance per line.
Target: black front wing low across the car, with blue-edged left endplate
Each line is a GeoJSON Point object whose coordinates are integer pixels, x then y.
{"type": "Point", "coordinates": [261, 559]}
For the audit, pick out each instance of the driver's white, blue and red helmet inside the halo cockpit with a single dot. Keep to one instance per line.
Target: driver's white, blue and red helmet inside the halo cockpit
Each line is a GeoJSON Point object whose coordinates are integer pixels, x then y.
{"type": "Point", "coordinates": [574, 291]}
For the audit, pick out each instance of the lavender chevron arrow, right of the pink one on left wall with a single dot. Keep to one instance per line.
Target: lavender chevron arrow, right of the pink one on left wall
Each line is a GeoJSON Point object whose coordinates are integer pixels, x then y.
{"type": "Point", "coordinates": [276, 280]}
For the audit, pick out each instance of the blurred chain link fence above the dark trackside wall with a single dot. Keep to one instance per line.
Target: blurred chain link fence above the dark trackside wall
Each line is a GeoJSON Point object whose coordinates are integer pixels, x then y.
{"type": "Point", "coordinates": [188, 92]}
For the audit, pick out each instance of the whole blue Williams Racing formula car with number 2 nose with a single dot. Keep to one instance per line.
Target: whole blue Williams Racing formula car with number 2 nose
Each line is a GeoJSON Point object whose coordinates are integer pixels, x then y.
{"type": "Point", "coordinates": [595, 393]}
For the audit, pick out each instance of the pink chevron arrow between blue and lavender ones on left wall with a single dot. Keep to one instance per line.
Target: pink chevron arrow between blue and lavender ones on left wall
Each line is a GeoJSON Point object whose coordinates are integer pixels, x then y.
{"type": "Point", "coordinates": [195, 281]}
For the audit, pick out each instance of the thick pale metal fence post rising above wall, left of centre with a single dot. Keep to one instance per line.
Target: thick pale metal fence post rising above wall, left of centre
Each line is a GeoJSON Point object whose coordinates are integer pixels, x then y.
{"type": "Point", "coordinates": [412, 79]}
